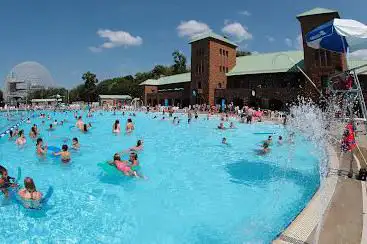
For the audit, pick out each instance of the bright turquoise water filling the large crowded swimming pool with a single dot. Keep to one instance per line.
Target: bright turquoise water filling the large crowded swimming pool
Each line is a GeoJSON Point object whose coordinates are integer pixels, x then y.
{"type": "Point", "coordinates": [197, 191]}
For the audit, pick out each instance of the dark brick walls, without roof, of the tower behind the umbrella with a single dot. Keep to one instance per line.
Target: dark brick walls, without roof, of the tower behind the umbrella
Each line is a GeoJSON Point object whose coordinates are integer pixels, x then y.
{"type": "Point", "coordinates": [312, 67]}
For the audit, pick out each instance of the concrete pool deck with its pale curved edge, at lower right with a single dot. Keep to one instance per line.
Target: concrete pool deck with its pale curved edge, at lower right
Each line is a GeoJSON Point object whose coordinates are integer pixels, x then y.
{"type": "Point", "coordinates": [345, 217]}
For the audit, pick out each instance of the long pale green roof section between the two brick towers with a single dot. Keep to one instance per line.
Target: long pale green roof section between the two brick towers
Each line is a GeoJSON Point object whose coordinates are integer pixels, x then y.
{"type": "Point", "coordinates": [267, 63]}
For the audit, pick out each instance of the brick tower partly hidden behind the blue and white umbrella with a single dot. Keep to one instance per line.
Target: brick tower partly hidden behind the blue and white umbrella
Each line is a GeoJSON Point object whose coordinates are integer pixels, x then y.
{"type": "Point", "coordinates": [319, 64]}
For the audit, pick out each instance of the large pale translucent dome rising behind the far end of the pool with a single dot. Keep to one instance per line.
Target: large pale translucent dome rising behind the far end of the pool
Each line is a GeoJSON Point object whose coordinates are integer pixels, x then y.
{"type": "Point", "coordinates": [34, 72]}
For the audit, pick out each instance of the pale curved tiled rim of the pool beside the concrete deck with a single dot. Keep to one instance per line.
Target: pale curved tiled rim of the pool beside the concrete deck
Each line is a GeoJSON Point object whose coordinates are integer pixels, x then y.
{"type": "Point", "coordinates": [307, 220]}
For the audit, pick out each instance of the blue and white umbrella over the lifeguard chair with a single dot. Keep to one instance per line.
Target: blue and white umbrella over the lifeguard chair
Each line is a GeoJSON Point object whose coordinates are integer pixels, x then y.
{"type": "Point", "coordinates": [337, 35]}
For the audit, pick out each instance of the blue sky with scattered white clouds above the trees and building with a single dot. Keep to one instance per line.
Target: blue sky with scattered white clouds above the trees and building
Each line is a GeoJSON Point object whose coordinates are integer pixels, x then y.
{"type": "Point", "coordinates": [119, 37]}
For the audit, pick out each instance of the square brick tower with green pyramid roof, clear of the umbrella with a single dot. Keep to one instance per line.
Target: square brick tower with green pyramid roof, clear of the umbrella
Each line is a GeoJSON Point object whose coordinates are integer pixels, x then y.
{"type": "Point", "coordinates": [212, 56]}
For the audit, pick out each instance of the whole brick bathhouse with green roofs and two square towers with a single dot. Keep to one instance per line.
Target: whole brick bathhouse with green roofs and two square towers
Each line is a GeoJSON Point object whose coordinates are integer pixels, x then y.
{"type": "Point", "coordinates": [269, 80]}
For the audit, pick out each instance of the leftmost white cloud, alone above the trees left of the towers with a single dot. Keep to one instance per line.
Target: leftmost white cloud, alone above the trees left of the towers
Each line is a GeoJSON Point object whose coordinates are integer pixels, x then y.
{"type": "Point", "coordinates": [116, 39]}
